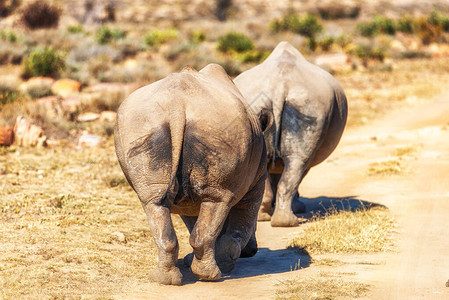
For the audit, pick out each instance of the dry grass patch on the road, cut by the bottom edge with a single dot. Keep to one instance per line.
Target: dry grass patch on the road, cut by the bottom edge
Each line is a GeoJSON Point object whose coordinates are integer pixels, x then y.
{"type": "Point", "coordinates": [327, 286]}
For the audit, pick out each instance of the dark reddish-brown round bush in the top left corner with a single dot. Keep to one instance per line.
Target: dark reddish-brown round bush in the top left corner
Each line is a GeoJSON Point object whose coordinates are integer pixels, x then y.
{"type": "Point", "coordinates": [40, 14]}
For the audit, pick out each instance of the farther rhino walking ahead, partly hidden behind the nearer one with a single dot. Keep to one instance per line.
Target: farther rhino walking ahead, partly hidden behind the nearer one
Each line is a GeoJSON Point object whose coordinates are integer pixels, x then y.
{"type": "Point", "coordinates": [310, 111]}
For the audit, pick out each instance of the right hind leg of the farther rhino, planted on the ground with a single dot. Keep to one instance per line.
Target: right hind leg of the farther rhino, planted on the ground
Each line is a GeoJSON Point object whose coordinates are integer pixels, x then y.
{"type": "Point", "coordinates": [292, 176]}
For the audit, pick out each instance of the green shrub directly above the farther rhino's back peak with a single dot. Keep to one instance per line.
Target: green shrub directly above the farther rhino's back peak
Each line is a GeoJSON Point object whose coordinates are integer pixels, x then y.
{"type": "Point", "coordinates": [307, 25]}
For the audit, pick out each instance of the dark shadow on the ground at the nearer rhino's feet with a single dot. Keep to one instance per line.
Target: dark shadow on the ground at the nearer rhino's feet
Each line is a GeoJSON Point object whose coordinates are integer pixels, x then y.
{"type": "Point", "coordinates": [265, 261]}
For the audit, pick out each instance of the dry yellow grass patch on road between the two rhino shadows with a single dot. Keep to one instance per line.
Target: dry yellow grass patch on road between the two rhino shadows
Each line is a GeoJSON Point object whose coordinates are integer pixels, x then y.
{"type": "Point", "coordinates": [366, 230]}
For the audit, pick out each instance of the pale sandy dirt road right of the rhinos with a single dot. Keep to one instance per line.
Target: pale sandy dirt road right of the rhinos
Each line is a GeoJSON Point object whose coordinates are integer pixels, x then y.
{"type": "Point", "coordinates": [418, 198]}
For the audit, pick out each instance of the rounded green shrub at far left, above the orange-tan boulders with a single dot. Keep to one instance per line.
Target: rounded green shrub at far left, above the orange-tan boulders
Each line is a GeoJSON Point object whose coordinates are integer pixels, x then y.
{"type": "Point", "coordinates": [43, 62]}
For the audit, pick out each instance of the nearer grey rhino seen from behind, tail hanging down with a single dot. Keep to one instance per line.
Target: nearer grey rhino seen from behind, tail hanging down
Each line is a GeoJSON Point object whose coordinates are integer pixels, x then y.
{"type": "Point", "coordinates": [188, 144]}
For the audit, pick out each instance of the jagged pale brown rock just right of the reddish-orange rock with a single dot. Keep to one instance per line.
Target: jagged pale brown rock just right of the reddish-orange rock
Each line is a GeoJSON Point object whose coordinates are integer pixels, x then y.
{"type": "Point", "coordinates": [27, 134]}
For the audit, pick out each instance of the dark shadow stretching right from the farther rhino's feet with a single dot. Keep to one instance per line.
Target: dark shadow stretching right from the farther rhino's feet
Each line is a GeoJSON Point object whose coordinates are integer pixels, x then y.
{"type": "Point", "coordinates": [323, 205]}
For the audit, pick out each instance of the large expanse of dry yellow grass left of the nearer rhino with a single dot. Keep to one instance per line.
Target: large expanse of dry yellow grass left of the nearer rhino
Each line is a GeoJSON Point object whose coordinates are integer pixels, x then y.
{"type": "Point", "coordinates": [59, 210]}
